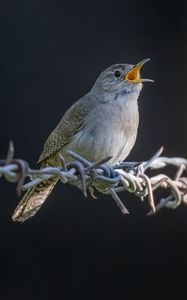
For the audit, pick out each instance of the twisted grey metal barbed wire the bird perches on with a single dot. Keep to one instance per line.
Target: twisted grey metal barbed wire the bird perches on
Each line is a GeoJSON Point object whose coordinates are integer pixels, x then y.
{"type": "Point", "coordinates": [88, 176]}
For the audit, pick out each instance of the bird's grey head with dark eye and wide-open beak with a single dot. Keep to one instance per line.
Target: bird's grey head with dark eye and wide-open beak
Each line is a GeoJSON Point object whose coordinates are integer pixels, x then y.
{"type": "Point", "coordinates": [121, 78]}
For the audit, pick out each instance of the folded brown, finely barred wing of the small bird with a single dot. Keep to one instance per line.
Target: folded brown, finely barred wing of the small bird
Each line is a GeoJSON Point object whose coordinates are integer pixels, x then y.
{"type": "Point", "coordinates": [71, 123]}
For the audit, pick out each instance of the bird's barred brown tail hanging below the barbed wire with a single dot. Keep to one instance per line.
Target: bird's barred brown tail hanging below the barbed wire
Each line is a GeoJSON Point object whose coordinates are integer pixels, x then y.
{"type": "Point", "coordinates": [33, 200]}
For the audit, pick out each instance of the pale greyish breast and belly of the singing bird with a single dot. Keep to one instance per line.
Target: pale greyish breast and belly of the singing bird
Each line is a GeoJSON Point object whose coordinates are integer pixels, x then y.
{"type": "Point", "coordinates": [110, 130]}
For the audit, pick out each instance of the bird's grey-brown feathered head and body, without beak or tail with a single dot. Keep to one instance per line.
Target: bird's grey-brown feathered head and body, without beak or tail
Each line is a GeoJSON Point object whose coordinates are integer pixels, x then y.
{"type": "Point", "coordinates": [102, 123]}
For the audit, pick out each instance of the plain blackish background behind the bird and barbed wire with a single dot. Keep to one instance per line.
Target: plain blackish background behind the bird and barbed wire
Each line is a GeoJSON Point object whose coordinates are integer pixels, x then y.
{"type": "Point", "coordinates": [51, 52]}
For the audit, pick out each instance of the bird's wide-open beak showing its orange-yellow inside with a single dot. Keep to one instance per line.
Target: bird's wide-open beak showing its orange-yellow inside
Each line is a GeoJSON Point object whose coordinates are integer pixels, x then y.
{"type": "Point", "coordinates": [134, 74]}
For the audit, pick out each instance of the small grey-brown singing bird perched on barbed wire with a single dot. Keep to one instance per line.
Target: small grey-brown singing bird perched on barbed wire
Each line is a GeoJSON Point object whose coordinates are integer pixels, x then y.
{"type": "Point", "coordinates": [103, 123]}
